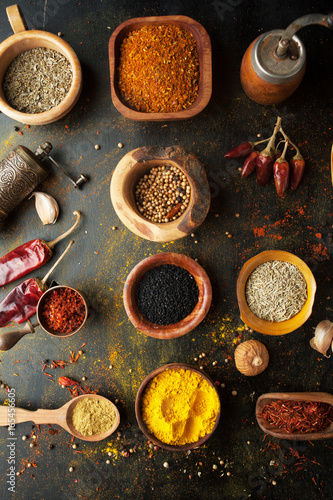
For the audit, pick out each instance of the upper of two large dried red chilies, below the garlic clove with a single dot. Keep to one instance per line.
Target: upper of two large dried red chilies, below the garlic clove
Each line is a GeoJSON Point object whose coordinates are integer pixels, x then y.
{"type": "Point", "coordinates": [29, 256]}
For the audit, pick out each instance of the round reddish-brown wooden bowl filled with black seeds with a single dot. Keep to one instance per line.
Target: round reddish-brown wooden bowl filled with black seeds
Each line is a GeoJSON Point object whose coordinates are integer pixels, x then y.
{"type": "Point", "coordinates": [167, 295]}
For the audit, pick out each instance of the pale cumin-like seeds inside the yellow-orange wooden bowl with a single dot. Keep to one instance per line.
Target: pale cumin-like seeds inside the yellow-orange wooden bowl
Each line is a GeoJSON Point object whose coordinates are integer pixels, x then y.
{"type": "Point", "coordinates": [276, 291]}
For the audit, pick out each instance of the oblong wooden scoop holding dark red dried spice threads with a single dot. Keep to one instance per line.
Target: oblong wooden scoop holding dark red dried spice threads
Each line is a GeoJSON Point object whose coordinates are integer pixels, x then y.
{"type": "Point", "coordinates": [298, 416]}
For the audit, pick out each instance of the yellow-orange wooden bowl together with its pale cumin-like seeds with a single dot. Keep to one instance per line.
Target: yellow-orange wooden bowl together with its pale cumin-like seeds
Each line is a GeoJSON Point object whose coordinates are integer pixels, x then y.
{"type": "Point", "coordinates": [275, 292]}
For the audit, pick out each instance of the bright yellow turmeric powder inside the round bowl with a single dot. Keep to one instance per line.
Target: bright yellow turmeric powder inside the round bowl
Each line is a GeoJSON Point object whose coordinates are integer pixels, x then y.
{"type": "Point", "coordinates": [179, 406]}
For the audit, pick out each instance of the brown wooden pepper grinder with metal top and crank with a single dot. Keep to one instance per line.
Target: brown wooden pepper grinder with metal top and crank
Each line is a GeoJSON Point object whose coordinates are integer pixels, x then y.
{"type": "Point", "coordinates": [274, 64]}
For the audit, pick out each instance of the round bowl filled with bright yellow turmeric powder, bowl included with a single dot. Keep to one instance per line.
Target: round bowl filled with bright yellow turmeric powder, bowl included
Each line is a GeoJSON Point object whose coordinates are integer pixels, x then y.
{"type": "Point", "coordinates": [177, 407]}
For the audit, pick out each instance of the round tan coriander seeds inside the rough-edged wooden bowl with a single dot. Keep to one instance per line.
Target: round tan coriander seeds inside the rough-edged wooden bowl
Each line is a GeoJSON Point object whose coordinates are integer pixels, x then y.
{"type": "Point", "coordinates": [163, 194]}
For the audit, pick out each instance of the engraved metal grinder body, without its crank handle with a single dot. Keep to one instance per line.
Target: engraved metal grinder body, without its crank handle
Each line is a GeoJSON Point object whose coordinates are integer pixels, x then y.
{"type": "Point", "coordinates": [20, 172]}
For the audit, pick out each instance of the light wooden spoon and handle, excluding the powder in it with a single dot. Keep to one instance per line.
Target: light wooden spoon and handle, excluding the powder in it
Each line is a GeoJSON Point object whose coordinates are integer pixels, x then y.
{"type": "Point", "coordinates": [61, 416]}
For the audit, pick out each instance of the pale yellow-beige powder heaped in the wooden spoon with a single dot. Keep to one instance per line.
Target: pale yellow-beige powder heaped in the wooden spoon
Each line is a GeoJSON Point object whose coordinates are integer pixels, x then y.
{"type": "Point", "coordinates": [93, 416]}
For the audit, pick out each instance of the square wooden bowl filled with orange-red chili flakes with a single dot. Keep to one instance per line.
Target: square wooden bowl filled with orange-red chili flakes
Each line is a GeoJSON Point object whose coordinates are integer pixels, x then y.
{"type": "Point", "coordinates": [160, 68]}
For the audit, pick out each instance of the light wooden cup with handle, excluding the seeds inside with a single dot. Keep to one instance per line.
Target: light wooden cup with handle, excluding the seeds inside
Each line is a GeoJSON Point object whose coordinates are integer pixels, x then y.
{"type": "Point", "coordinates": [24, 40]}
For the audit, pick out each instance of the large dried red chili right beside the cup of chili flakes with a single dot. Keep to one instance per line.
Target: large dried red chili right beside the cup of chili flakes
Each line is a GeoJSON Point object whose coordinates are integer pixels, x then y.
{"type": "Point", "coordinates": [21, 303]}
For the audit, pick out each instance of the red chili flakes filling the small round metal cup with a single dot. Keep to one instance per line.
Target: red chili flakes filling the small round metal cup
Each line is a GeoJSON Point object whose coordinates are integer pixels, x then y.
{"type": "Point", "coordinates": [64, 310]}
